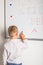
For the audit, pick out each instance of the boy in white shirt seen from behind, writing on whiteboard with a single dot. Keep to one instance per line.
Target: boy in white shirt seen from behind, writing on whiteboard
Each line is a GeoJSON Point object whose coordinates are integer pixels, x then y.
{"type": "Point", "coordinates": [13, 48]}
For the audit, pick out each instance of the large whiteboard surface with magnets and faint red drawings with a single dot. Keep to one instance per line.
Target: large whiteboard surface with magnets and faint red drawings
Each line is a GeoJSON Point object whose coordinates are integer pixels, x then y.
{"type": "Point", "coordinates": [27, 15]}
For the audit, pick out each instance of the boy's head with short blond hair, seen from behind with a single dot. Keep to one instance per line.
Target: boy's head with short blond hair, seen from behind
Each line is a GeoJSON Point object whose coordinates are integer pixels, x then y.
{"type": "Point", "coordinates": [13, 31]}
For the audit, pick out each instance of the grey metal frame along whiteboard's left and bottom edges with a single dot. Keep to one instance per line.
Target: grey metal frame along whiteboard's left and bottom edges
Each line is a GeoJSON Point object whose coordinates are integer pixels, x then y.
{"type": "Point", "coordinates": [34, 39]}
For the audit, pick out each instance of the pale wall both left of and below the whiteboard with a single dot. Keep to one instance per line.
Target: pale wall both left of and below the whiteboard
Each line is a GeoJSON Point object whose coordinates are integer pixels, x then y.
{"type": "Point", "coordinates": [33, 55]}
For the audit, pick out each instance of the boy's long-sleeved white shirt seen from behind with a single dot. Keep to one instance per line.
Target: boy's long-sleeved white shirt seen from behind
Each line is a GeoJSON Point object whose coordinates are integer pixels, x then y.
{"type": "Point", "coordinates": [13, 51]}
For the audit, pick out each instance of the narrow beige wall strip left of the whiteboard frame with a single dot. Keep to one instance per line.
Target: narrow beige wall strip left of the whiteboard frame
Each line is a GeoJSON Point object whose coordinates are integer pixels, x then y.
{"type": "Point", "coordinates": [1, 29]}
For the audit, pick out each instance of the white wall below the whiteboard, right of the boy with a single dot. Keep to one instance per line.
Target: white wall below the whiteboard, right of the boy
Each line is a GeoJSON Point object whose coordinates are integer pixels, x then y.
{"type": "Point", "coordinates": [34, 54]}
